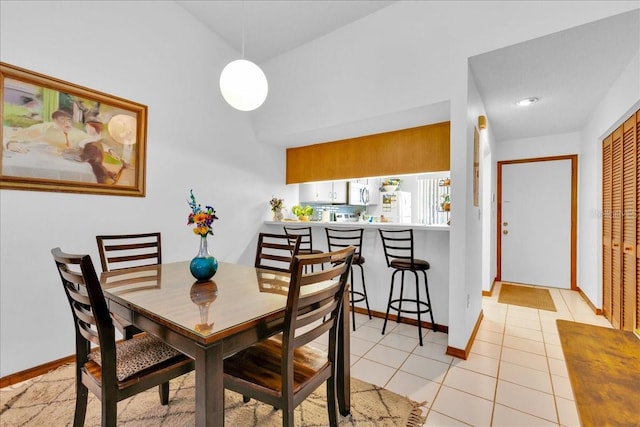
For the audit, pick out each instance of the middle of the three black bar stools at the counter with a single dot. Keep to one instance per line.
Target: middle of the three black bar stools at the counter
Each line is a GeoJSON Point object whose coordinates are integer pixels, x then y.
{"type": "Point", "coordinates": [338, 238]}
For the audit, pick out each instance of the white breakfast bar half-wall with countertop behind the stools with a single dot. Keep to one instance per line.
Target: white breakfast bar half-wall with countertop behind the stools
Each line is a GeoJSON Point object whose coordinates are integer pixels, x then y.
{"type": "Point", "coordinates": [431, 243]}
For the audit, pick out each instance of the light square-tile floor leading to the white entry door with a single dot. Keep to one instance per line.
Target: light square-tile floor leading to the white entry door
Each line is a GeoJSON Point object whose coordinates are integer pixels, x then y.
{"type": "Point", "coordinates": [515, 374]}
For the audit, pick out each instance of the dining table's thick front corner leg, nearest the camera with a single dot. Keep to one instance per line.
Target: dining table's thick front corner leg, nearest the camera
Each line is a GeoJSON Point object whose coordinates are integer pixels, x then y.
{"type": "Point", "coordinates": [209, 386]}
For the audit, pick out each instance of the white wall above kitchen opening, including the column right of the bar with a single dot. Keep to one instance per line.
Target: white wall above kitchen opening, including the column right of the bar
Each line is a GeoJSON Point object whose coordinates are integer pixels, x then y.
{"type": "Point", "coordinates": [419, 60]}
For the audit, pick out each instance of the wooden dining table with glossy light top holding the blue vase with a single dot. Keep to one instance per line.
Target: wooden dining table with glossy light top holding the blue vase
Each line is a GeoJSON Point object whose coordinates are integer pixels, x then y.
{"type": "Point", "coordinates": [210, 320]}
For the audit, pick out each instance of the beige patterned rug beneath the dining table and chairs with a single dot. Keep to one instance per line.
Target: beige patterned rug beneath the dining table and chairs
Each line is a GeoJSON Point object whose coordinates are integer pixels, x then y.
{"type": "Point", "coordinates": [50, 400]}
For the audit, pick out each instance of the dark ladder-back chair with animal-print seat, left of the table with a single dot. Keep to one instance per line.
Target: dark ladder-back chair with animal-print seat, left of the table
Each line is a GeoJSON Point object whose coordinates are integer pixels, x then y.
{"type": "Point", "coordinates": [112, 371]}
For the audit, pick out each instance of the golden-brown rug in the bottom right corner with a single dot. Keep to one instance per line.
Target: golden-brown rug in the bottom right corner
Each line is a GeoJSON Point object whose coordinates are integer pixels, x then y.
{"type": "Point", "coordinates": [604, 369]}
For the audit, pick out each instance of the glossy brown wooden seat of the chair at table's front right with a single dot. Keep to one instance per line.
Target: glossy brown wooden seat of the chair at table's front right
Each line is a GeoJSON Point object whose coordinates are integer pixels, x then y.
{"type": "Point", "coordinates": [260, 364]}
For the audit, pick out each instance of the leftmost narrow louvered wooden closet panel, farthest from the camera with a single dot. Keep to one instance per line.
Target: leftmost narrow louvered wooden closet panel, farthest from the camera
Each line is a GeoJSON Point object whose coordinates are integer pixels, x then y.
{"type": "Point", "coordinates": [606, 226]}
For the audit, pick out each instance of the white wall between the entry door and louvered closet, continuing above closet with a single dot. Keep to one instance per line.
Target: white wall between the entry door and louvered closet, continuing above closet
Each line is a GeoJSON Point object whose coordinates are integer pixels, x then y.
{"type": "Point", "coordinates": [618, 104]}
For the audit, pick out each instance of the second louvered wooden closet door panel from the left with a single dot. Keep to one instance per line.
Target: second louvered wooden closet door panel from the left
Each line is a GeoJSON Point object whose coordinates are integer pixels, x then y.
{"type": "Point", "coordinates": [616, 228]}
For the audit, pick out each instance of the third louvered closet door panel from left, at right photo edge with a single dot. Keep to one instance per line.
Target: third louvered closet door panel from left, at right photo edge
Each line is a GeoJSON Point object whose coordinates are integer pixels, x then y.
{"type": "Point", "coordinates": [629, 224]}
